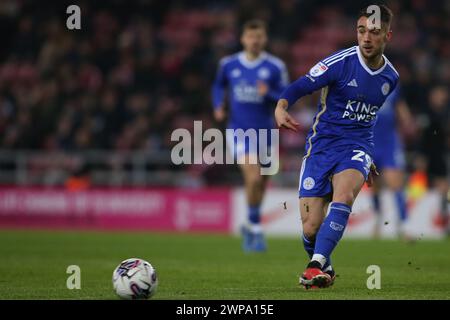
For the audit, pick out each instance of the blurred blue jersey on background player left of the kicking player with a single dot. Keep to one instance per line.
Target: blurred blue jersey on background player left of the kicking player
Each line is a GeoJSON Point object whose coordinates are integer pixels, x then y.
{"type": "Point", "coordinates": [240, 76]}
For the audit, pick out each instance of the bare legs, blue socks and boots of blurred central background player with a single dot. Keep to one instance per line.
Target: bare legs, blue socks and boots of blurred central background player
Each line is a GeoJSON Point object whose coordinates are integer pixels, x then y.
{"type": "Point", "coordinates": [255, 185]}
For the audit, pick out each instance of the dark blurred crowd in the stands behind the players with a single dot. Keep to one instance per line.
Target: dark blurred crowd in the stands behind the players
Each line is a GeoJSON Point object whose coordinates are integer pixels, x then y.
{"type": "Point", "coordinates": [137, 70]}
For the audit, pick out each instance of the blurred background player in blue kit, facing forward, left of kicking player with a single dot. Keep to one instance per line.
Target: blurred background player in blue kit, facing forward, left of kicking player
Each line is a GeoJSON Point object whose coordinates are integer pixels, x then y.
{"type": "Point", "coordinates": [255, 80]}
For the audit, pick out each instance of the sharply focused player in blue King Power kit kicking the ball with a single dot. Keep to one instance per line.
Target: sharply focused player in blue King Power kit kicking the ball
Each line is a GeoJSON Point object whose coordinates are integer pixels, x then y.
{"type": "Point", "coordinates": [355, 82]}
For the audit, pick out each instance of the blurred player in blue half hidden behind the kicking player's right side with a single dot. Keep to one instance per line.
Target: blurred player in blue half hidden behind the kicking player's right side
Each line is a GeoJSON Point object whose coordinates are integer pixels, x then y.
{"type": "Point", "coordinates": [389, 156]}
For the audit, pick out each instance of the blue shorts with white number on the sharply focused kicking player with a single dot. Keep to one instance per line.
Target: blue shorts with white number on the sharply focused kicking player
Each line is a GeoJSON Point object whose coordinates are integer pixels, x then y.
{"type": "Point", "coordinates": [318, 168]}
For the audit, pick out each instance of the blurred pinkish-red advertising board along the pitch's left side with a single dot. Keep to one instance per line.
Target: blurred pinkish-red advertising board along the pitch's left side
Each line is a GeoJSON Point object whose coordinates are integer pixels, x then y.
{"type": "Point", "coordinates": [143, 209]}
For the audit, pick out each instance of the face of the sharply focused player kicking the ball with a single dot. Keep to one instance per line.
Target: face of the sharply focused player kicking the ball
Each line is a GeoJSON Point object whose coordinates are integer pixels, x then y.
{"type": "Point", "coordinates": [372, 41]}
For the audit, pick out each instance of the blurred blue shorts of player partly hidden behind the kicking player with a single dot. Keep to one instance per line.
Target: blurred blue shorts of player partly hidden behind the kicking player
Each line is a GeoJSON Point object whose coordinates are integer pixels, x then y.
{"type": "Point", "coordinates": [389, 154]}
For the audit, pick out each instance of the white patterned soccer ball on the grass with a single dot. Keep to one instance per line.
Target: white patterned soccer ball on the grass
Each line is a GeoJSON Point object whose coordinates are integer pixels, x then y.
{"type": "Point", "coordinates": [135, 279]}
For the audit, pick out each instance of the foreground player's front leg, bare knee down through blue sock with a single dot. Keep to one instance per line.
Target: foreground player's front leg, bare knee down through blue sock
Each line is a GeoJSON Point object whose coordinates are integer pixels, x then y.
{"type": "Point", "coordinates": [346, 186]}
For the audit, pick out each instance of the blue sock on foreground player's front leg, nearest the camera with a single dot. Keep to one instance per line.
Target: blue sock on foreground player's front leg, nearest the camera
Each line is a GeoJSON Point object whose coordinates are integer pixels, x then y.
{"type": "Point", "coordinates": [331, 230]}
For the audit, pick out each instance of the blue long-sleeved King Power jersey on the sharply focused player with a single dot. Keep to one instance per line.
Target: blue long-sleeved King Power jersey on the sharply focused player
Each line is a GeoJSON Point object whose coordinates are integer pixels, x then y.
{"type": "Point", "coordinates": [351, 96]}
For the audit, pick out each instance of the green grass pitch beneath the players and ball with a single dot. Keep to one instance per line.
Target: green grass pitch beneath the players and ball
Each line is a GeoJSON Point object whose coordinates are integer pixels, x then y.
{"type": "Point", "coordinates": [203, 266]}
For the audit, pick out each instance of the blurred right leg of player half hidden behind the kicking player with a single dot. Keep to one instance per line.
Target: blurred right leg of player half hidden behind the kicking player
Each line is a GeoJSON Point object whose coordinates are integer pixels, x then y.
{"type": "Point", "coordinates": [393, 179]}
